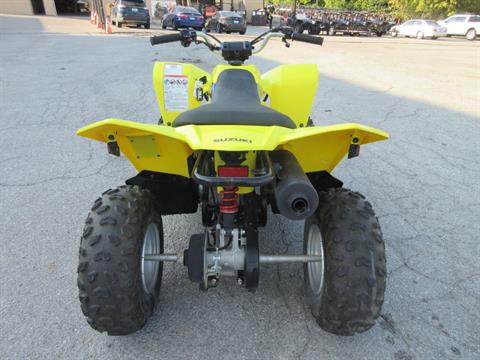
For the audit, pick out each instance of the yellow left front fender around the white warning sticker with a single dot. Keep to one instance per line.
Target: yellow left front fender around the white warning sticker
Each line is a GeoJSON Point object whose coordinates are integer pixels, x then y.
{"type": "Point", "coordinates": [182, 72]}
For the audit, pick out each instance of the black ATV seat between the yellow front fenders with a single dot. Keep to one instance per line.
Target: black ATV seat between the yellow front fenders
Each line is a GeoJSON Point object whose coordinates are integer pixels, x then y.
{"type": "Point", "coordinates": [235, 101]}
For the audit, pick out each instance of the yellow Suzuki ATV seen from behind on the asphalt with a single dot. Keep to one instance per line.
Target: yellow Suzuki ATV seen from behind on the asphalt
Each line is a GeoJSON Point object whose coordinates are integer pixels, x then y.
{"type": "Point", "coordinates": [233, 143]}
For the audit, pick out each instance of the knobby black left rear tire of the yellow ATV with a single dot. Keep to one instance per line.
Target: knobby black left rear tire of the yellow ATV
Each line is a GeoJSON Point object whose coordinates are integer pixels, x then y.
{"type": "Point", "coordinates": [111, 292]}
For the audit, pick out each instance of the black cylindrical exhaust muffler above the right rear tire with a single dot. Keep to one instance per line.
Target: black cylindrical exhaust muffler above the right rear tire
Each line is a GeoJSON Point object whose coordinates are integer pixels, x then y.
{"type": "Point", "coordinates": [295, 196]}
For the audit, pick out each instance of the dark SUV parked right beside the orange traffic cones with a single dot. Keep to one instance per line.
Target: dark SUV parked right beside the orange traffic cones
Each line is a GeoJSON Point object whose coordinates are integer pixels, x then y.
{"type": "Point", "coordinates": [131, 12]}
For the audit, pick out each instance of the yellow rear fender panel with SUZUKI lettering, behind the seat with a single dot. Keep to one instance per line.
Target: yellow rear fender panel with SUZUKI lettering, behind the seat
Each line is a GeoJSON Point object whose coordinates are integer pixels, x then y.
{"type": "Point", "coordinates": [316, 148]}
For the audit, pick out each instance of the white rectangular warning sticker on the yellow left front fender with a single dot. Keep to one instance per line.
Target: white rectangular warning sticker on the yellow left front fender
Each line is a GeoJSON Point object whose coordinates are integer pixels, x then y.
{"type": "Point", "coordinates": [175, 92]}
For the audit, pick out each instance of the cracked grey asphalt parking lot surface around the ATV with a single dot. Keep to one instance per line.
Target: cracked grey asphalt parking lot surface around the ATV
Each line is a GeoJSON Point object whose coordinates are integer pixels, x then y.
{"type": "Point", "coordinates": [424, 184]}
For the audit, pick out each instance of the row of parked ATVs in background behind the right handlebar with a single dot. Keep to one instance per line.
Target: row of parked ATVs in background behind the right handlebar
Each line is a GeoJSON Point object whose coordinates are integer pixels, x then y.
{"type": "Point", "coordinates": [342, 22]}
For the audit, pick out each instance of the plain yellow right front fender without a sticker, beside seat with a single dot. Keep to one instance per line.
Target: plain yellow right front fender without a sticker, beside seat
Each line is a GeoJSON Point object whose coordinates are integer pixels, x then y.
{"type": "Point", "coordinates": [291, 89]}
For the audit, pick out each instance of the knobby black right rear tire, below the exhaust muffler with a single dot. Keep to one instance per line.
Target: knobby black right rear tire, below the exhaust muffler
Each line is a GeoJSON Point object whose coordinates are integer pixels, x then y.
{"type": "Point", "coordinates": [354, 263]}
